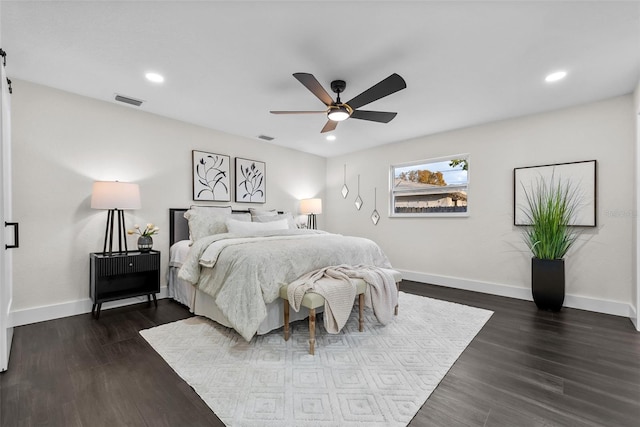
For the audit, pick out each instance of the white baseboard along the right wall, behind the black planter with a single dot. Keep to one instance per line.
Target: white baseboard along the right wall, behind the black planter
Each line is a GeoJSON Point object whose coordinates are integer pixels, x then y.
{"type": "Point", "coordinates": [572, 301]}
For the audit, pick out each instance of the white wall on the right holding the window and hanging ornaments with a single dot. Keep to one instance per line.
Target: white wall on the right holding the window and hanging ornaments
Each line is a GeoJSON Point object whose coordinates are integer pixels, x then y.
{"type": "Point", "coordinates": [484, 251]}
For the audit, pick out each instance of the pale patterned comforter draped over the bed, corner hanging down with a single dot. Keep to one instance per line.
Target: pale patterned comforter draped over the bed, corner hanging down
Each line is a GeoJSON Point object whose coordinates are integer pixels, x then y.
{"type": "Point", "coordinates": [244, 273]}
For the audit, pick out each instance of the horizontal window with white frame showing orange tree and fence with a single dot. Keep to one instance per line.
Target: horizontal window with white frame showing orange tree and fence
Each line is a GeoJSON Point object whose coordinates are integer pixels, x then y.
{"type": "Point", "coordinates": [433, 187]}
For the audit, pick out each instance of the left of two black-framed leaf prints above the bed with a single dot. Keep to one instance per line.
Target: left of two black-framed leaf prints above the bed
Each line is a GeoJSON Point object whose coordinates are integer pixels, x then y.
{"type": "Point", "coordinates": [211, 177]}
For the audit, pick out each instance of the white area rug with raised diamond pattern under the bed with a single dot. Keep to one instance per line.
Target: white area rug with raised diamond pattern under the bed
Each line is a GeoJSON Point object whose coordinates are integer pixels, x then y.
{"type": "Point", "coordinates": [378, 377]}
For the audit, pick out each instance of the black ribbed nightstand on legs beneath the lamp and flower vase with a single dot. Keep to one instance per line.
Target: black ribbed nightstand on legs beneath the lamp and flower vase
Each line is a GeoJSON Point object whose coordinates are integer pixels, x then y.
{"type": "Point", "coordinates": [121, 275]}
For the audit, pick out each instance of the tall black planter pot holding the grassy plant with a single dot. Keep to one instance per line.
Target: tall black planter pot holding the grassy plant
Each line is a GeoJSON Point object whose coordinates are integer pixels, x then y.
{"type": "Point", "coordinates": [547, 283]}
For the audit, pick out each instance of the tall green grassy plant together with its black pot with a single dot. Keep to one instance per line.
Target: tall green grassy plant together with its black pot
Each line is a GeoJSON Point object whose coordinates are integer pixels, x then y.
{"type": "Point", "coordinates": [550, 207]}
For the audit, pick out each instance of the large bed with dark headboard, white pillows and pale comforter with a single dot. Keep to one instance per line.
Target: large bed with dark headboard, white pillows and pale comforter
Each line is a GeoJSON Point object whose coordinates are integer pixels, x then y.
{"type": "Point", "coordinates": [252, 264]}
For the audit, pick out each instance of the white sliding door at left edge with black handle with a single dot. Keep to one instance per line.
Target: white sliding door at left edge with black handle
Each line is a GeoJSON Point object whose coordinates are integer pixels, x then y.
{"type": "Point", "coordinates": [8, 235]}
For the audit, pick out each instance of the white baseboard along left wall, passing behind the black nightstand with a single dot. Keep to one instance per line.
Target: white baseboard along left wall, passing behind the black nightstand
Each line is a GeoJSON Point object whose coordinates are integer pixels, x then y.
{"type": "Point", "coordinates": [72, 308]}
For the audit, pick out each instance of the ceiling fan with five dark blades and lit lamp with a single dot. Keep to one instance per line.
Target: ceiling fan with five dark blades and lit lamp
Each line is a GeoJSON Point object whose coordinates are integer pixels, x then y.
{"type": "Point", "coordinates": [338, 111]}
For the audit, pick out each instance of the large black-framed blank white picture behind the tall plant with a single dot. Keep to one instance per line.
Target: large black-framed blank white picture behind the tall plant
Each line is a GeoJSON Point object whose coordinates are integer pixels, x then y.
{"type": "Point", "coordinates": [581, 176]}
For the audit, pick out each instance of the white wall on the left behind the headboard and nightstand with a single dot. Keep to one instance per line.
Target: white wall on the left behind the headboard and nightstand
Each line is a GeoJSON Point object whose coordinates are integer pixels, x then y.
{"type": "Point", "coordinates": [64, 142]}
